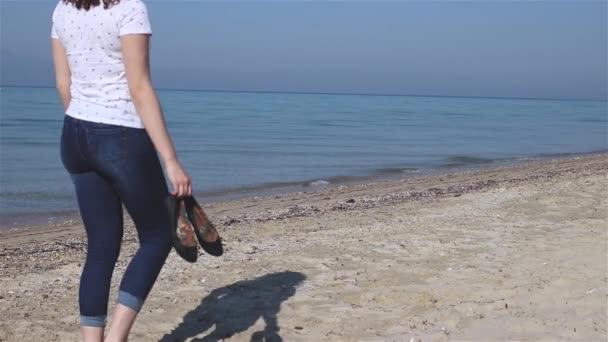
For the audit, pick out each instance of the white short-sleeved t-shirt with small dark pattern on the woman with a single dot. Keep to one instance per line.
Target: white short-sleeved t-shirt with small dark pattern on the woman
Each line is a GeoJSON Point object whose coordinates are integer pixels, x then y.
{"type": "Point", "coordinates": [99, 89]}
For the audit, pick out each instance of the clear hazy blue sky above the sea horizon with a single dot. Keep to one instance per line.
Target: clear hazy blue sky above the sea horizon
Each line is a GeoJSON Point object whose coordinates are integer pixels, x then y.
{"type": "Point", "coordinates": [544, 49]}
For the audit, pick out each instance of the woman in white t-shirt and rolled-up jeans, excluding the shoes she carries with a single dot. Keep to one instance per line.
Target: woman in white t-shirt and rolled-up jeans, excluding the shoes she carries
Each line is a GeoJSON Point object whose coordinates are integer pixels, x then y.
{"type": "Point", "coordinates": [112, 129]}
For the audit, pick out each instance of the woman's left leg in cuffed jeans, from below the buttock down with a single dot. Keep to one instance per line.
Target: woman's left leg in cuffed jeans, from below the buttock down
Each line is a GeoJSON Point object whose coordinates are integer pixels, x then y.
{"type": "Point", "coordinates": [101, 212]}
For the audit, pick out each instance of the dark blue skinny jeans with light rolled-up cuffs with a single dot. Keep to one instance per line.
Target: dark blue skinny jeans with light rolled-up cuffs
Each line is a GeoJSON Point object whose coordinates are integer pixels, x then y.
{"type": "Point", "coordinates": [111, 166]}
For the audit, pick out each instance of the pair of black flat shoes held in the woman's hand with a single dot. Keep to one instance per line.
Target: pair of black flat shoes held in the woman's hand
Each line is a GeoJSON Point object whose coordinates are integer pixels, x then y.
{"type": "Point", "coordinates": [189, 220]}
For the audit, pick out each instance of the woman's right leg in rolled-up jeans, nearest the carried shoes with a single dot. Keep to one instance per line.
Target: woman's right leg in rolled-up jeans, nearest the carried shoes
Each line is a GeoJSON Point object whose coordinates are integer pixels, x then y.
{"type": "Point", "coordinates": [141, 185]}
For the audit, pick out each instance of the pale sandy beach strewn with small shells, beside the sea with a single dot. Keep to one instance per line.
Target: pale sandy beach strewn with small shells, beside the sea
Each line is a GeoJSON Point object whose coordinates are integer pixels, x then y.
{"type": "Point", "coordinates": [511, 253]}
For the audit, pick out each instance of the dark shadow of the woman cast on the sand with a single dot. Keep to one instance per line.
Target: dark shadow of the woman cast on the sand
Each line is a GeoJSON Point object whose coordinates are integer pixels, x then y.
{"type": "Point", "coordinates": [238, 306]}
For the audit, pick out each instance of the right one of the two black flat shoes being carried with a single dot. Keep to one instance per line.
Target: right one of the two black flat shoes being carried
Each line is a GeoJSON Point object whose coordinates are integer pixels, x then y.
{"type": "Point", "coordinates": [205, 231]}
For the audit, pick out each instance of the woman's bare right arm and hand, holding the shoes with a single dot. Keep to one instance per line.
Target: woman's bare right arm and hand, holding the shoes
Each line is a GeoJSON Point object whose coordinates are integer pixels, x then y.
{"type": "Point", "coordinates": [135, 51]}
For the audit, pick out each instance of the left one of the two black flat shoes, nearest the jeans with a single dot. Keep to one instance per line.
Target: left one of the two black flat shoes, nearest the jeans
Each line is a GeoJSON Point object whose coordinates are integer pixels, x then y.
{"type": "Point", "coordinates": [182, 232]}
